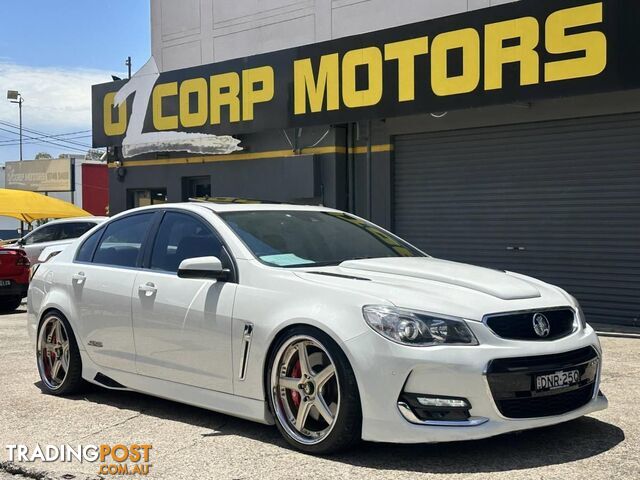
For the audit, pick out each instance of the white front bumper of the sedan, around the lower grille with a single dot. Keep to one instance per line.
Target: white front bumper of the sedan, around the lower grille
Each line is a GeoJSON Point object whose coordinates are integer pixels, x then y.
{"type": "Point", "coordinates": [386, 370]}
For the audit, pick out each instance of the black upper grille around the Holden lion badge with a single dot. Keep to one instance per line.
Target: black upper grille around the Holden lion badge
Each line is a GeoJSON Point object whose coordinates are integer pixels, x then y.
{"type": "Point", "coordinates": [520, 325]}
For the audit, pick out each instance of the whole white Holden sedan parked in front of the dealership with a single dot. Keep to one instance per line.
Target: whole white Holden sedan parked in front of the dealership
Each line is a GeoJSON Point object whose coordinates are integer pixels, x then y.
{"type": "Point", "coordinates": [311, 319]}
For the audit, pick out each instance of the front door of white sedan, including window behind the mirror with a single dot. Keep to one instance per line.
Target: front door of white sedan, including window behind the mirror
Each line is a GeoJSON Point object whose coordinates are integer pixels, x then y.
{"type": "Point", "coordinates": [182, 327]}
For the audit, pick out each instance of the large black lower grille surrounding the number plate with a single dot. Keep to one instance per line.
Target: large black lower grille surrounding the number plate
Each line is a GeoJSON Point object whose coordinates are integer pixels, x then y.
{"type": "Point", "coordinates": [513, 383]}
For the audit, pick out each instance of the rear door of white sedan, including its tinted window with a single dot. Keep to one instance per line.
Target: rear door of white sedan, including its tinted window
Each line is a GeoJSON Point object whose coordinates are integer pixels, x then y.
{"type": "Point", "coordinates": [102, 280]}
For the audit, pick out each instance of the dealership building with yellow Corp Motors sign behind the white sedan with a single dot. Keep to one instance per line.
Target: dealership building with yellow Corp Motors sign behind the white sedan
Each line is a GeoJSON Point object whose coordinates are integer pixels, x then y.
{"type": "Point", "coordinates": [503, 134]}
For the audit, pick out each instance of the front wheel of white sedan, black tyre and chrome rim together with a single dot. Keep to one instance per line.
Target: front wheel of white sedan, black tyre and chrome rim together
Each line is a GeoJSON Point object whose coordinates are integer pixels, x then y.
{"type": "Point", "coordinates": [313, 393]}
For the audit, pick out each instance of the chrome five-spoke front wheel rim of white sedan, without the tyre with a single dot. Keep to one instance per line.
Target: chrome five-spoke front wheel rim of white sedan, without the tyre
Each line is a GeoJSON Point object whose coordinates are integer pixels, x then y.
{"type": "Point", "coordinates": [305, 390]}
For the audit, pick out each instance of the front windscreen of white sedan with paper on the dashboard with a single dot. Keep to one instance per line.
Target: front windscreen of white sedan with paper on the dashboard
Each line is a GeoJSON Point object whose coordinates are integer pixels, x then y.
{"type": "Point", "coordinates": [291, 239]}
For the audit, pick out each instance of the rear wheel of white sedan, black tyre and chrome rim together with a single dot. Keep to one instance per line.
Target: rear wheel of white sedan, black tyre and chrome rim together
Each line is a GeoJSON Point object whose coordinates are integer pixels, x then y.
{"type": "Point", "coordinates": [59, 362]}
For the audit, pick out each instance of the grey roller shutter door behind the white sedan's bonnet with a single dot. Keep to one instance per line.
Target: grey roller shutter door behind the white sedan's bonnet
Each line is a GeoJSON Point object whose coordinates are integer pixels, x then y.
{"type": "Point", "coordinates": [557, 200]}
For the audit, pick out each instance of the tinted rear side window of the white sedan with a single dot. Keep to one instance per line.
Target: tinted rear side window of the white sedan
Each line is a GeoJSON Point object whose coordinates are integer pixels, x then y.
{"type": "Point", "coordinates": [122, 242]}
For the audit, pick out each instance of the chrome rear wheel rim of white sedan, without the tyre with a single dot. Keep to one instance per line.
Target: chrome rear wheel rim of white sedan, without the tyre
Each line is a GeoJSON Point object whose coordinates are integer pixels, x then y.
{"type": "Point", "coordinates": [53, 352]}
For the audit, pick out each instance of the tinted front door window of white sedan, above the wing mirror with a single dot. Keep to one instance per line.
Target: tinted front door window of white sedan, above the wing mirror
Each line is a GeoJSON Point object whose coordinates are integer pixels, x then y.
{"type": "Point", "coordinates": [182, 236]}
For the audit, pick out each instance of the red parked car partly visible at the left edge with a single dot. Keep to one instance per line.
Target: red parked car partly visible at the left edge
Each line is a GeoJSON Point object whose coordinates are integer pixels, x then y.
{"type": "Point", "coordinates": [14, 278]}
